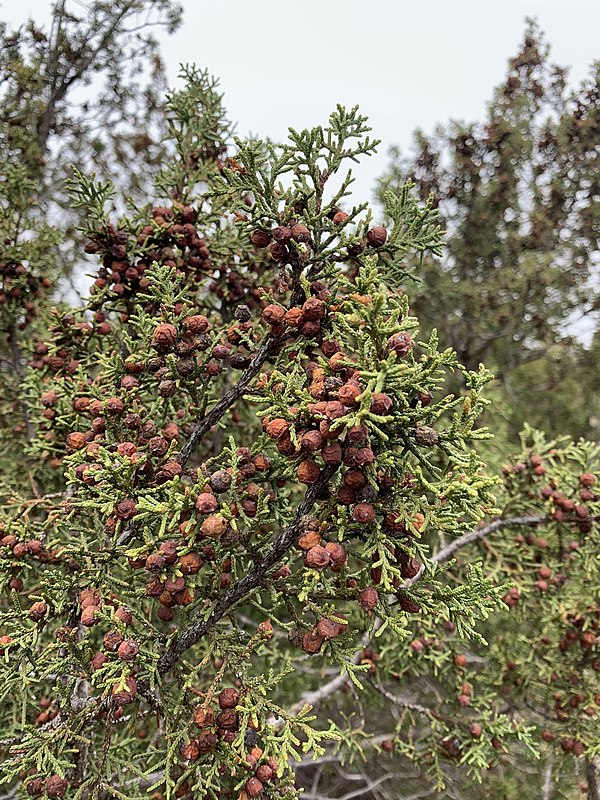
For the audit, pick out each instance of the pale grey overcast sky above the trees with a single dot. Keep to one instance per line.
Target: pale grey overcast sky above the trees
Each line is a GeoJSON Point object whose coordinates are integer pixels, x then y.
{"type": "Point", "coordinates": [406, 64]}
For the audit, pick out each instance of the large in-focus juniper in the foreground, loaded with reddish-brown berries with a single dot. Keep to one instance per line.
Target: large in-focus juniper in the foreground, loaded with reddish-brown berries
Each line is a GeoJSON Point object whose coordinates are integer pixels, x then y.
{"type": "Point", "coordinates": [239, 470]}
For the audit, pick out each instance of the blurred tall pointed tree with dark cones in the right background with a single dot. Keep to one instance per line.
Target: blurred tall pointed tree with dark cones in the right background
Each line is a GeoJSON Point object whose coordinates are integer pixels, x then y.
{"type": "Point", "coordinates": [518, 193]}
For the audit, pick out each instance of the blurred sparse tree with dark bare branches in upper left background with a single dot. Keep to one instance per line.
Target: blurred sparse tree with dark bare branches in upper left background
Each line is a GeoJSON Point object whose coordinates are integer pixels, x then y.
{"type": "Point", "coordinates": [85, 89]}
